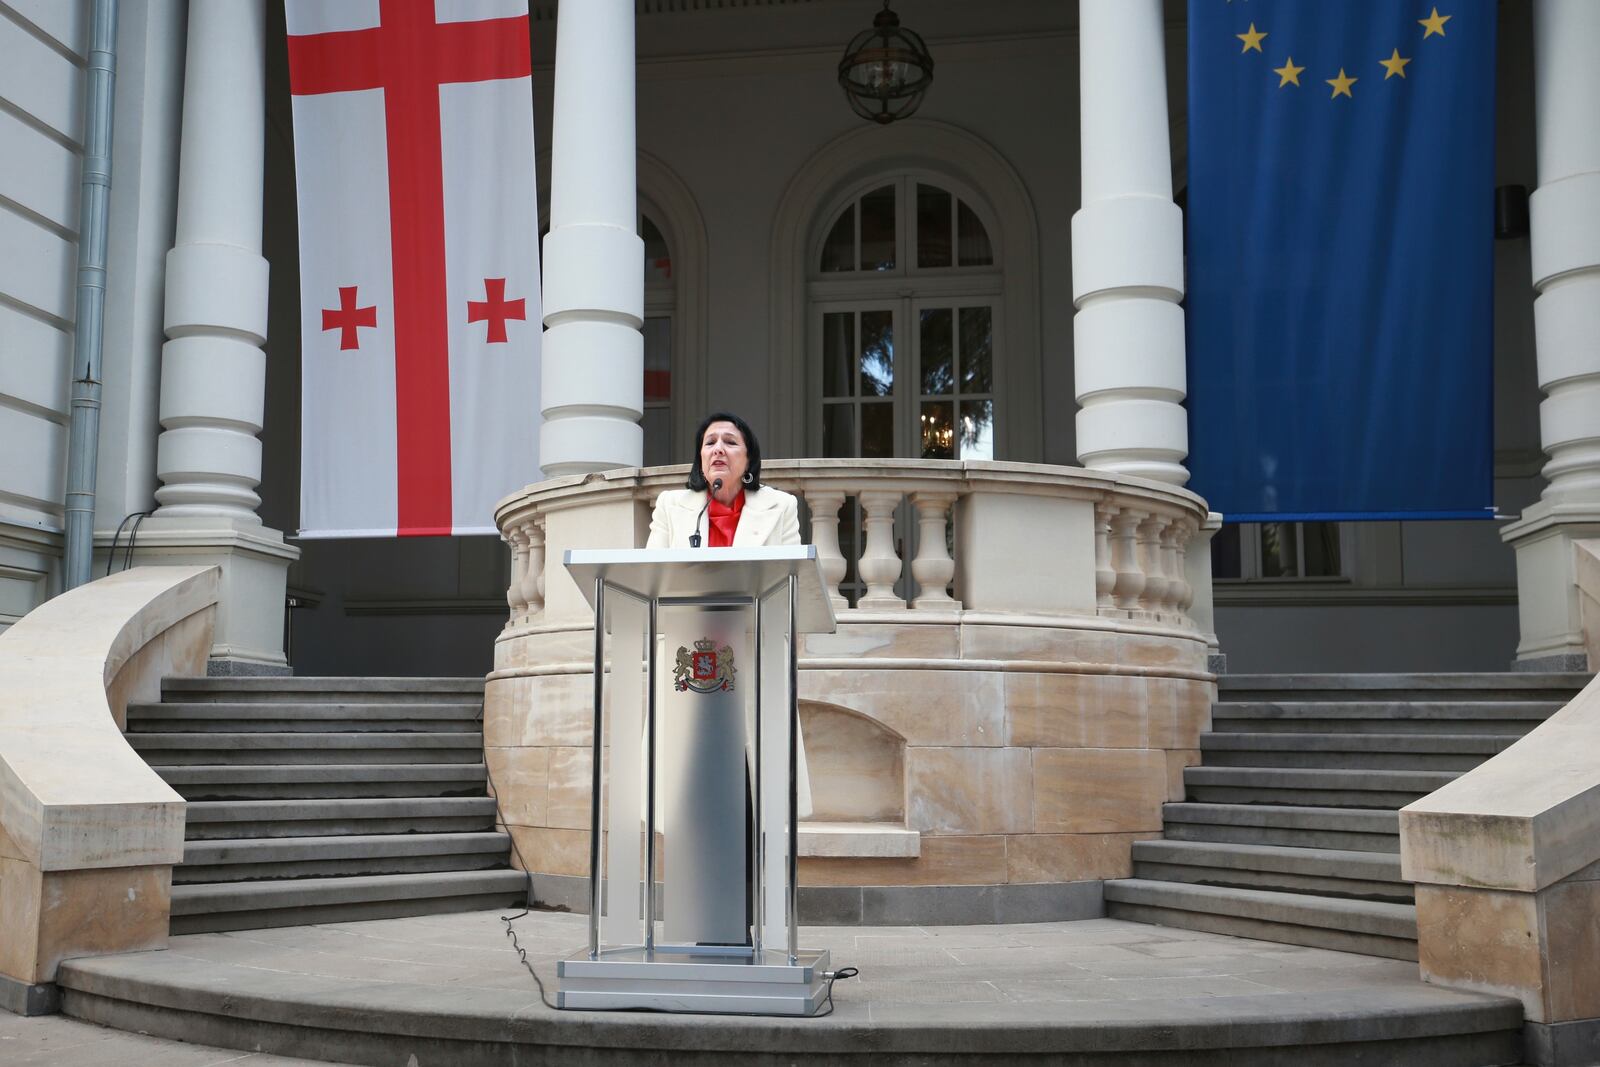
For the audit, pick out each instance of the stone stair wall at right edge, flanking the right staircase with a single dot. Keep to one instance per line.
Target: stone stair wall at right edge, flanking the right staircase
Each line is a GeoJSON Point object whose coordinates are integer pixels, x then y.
{"type": "Point", "coordinates": [1506, 863]}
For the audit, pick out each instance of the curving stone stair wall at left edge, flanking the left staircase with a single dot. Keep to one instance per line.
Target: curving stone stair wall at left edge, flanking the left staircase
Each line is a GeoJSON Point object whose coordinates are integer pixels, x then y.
{"type": "Point", "coordinates": [89, 833]}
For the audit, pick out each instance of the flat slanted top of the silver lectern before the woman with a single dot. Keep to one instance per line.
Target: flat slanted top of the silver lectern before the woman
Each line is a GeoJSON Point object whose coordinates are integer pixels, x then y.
{"type": "Point", "coordinates": [710, 573]}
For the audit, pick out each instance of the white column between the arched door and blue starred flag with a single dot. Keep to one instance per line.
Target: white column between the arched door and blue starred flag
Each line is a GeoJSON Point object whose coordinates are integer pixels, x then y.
{"type": "Point", "coordinates": [1127, 252]}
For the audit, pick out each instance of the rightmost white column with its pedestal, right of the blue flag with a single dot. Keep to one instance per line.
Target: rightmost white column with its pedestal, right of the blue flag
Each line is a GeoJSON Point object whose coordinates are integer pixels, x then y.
{"type": "Point", "coordinates": [1566, 249]}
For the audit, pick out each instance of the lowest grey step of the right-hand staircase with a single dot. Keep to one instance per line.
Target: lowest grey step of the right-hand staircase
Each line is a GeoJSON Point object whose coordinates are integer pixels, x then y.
{"type": "Point", "coordinates": [1367, 927]}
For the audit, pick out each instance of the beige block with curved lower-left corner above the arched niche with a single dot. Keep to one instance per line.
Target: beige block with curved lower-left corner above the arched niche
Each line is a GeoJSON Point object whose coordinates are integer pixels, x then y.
{"type": "Point", "coordinates": [926, 708]}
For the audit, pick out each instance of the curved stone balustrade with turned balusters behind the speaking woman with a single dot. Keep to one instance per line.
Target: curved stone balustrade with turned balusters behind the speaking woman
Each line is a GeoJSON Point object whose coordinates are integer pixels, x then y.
{"type": "Point", "coordinates": [1026, 537]}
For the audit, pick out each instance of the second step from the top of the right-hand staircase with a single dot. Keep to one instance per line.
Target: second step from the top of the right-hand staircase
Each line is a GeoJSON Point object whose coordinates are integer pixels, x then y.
{"type": "Point", "coordinates": [1382, 717]}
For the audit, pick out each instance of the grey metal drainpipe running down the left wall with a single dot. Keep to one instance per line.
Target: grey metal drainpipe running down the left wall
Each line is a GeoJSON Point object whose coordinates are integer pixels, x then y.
{"type": "Point", "coordinates": [94, 223]}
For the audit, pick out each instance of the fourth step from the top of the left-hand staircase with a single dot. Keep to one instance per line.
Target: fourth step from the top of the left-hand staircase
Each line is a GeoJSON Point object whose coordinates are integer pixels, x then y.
{"type": "Point", "coordinates": [327, 781]}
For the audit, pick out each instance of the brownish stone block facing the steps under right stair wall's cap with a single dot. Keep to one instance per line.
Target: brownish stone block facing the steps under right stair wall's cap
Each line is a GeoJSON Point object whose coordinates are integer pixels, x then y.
{"type": "Point", "coordinates": [1482, 940]}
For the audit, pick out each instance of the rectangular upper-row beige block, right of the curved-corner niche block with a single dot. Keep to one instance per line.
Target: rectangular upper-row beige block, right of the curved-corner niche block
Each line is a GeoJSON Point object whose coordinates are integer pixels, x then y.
{"type": "Point", "coordinates": [1079, 711]}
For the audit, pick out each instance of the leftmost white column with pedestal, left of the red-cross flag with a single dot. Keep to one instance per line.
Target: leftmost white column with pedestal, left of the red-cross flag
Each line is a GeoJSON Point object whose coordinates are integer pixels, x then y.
{"type": "Point", "coordinates": [214, 370]}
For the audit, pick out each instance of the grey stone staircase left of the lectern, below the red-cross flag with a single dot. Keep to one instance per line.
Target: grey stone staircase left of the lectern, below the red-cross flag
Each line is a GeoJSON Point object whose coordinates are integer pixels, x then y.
{"type": "Point", "coordinates": [319, 801]}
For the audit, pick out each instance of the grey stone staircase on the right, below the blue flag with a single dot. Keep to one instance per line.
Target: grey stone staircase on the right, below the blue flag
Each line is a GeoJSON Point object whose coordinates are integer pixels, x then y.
{"type": "Point", "coordinates": [1290, 826]}
